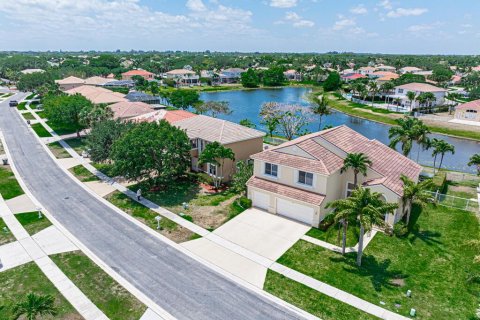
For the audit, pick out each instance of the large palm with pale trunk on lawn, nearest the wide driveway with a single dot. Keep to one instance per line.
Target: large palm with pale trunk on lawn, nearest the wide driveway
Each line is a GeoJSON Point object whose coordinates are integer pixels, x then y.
{"type": "Point", "coordinates": [369, 209]}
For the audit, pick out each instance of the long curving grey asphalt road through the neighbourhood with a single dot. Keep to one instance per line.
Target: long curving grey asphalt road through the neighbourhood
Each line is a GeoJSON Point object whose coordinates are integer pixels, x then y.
{"type": "Point", "coordinates": [182, 286]}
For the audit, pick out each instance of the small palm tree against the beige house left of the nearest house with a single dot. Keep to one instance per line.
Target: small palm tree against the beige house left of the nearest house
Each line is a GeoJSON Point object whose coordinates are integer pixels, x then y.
{"type": "Point", "coordinates": [216, 154]}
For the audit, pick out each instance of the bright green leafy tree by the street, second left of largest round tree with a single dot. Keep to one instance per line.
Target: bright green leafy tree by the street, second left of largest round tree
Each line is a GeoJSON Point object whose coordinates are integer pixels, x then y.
{"type": "Point", "coordinates": [67, 109]}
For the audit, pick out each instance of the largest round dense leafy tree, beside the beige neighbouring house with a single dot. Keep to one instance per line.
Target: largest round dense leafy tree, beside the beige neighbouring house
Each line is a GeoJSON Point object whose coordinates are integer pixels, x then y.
{"type": "Point", "coordinates": [155, 152]}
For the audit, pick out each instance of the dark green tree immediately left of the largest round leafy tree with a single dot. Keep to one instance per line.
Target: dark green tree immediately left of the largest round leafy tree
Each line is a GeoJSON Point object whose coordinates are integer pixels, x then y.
{"type": "Point", "coordinates": [102, 136]}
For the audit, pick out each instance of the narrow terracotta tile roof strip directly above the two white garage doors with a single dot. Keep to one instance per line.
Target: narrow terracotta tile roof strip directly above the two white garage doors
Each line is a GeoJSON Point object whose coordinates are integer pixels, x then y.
{"type": "Point", "coordinates": [286, 191]}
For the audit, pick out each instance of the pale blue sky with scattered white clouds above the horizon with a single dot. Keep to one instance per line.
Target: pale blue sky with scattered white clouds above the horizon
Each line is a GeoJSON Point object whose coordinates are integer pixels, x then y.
{"type": "Point", "coordinates": [380, 26]}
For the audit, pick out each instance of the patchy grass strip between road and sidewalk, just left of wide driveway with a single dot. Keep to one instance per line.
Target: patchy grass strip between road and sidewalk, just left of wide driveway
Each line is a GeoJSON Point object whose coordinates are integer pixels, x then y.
{"type": "Point", "coordinates": [169, 228]}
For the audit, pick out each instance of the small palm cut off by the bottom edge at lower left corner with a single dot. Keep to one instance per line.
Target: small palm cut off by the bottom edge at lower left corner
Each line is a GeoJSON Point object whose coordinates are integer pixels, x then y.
{"type": "Point", "coordinates": [35, 305]}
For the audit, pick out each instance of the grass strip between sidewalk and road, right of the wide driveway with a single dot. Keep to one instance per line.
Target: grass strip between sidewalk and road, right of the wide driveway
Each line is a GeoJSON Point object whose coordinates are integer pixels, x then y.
{"type": "Point", "coordinates": [310, 300]}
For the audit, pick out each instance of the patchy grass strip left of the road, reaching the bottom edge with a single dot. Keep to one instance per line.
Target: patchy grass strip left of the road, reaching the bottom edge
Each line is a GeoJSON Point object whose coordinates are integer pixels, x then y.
{"type": "Point", "coordinates": [110, 297]}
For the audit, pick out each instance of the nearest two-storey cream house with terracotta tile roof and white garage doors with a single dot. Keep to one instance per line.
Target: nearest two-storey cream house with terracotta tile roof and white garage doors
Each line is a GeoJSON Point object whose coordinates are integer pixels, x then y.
{"type": "Point", "coordinates": [298, 178]}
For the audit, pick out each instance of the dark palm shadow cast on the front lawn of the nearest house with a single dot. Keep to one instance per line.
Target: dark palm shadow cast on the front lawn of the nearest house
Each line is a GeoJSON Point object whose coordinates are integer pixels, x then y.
{"type": "Point", "coordinates": [378, 272]}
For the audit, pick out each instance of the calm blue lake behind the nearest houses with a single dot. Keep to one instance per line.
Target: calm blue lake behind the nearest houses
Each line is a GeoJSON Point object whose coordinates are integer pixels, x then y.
{"type": "Point", "coordinates": [246, 105]}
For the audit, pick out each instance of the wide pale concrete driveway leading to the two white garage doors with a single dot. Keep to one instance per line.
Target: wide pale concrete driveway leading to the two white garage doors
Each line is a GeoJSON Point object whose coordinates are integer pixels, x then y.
{"type": "Point", "coordinates": [253, 241]}
